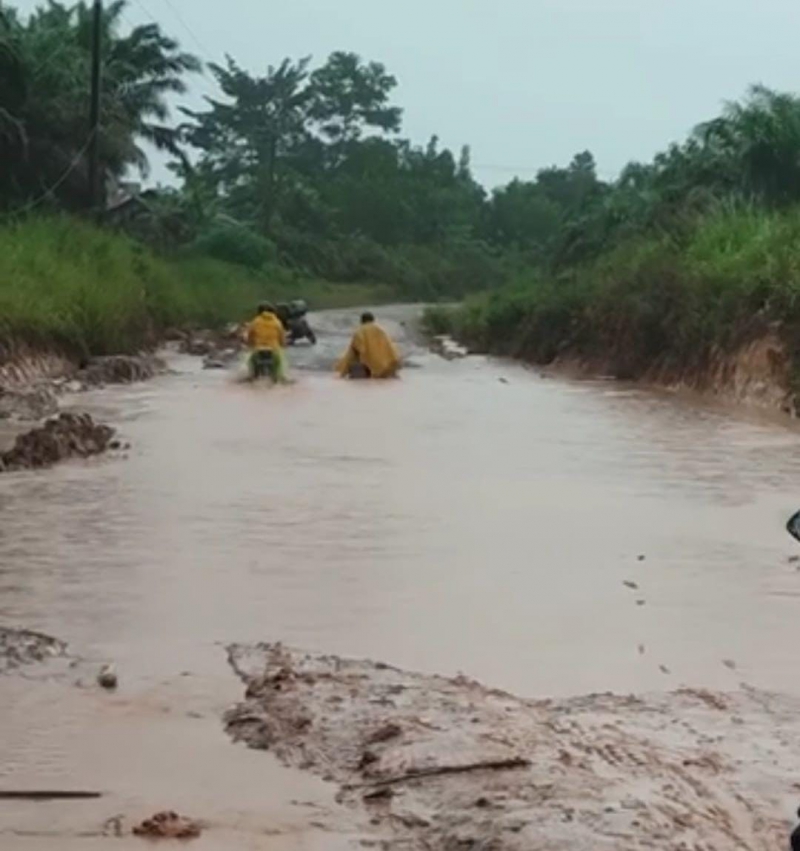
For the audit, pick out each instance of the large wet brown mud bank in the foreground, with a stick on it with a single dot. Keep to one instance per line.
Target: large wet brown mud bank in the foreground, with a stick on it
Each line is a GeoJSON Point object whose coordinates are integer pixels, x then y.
{"type": "Point", "coordinates": [444, 763]}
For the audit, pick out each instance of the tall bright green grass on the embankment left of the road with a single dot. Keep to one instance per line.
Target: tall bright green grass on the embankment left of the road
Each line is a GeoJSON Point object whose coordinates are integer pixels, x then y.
{"type": "Point", "coordinates": [88, 291]}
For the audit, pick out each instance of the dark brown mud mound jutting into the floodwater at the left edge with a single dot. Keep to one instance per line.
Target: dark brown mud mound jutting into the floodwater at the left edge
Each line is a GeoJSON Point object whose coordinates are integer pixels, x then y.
{"type": "Point", "coordinates": [62, 437]}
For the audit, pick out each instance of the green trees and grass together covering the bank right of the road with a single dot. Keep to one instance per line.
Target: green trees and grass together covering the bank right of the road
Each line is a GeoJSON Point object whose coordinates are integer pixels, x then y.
{"type": "Point", "coordinates": [690, 255]}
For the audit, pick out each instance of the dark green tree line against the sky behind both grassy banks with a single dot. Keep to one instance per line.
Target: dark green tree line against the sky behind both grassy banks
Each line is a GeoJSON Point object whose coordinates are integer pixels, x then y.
{"type": "Point", "coordinates": [305, 164]}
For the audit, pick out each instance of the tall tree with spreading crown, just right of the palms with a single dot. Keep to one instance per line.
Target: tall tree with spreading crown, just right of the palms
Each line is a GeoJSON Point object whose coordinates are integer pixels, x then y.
{"type": "Point", "coordinates": [271, 138]}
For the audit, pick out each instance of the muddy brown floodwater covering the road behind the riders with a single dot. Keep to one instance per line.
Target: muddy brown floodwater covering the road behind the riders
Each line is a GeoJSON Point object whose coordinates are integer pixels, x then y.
{"type": "Point", "coordinates": [546, 537]}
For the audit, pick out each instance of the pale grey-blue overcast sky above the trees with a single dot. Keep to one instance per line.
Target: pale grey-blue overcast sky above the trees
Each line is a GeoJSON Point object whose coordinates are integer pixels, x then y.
{"type": "Point", "coordinates": [526, 83]}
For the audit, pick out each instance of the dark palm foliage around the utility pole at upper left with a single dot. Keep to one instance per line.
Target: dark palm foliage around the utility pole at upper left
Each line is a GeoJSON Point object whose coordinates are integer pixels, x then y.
{"type": "Point", "coordinates": [48, 101]}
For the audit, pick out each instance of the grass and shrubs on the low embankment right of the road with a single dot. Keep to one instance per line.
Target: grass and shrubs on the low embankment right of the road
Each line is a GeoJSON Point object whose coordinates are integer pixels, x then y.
{"type": "Point", "coordinates": [665, 301]}
